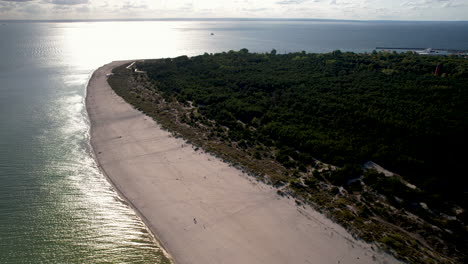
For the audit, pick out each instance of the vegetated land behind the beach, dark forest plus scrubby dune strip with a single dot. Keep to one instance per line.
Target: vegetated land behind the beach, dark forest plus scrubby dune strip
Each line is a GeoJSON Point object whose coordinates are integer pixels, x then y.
{"type": "Point", "coordinates": [369, 140]}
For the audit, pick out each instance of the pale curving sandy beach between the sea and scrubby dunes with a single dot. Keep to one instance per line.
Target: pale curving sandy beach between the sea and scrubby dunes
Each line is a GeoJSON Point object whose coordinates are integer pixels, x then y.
{"type": "Point", "coordinates": [199, 208]}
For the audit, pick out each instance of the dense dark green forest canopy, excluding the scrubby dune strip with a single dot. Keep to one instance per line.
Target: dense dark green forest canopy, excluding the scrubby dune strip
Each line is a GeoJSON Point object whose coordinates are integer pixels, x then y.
{"type": "Point", "coordinates": [342, 108]}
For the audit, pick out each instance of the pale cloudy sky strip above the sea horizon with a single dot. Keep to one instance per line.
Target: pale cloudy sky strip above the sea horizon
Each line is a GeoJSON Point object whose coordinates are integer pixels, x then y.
{"type": "Point", "coordinates": [329, 9]}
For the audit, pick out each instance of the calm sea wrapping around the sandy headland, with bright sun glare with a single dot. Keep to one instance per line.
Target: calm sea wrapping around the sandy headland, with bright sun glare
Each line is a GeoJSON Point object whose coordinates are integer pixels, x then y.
{"type": "Point", "coordinates": [55, 205]}
